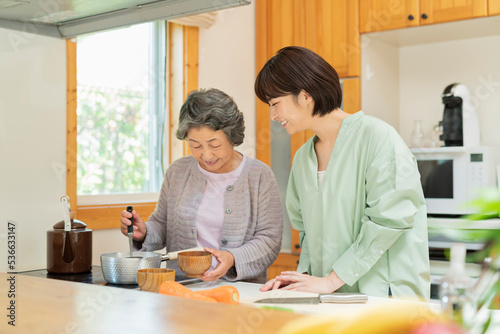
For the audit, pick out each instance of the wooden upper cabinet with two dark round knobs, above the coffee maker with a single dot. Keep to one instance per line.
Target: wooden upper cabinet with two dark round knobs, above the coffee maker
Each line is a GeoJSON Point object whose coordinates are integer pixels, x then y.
{"type": "Point", "coordinates": [378, 15]}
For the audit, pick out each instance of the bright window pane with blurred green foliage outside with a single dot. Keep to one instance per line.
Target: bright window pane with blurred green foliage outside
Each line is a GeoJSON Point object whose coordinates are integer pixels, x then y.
{"type": "Point", "coordinates": [120, 114]}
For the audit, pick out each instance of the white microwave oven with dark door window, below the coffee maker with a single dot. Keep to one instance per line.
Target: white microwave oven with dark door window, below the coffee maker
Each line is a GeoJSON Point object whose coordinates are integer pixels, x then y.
{"type": "Point", "coordinates": [452, 176]}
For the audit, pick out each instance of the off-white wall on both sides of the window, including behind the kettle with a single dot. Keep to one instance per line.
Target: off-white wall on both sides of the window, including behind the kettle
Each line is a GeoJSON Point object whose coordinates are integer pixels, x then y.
{"type": "Point", "coordinates": [33, 125]}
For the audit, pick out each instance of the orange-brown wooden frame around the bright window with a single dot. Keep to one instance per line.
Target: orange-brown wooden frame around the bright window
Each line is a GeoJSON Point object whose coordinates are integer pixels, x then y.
{"type": "Point", "coordinates": [107, 216]}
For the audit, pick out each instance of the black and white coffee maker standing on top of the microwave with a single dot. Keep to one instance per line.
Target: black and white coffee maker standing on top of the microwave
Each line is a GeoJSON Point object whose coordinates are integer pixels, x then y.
{"type": "Point", "coordinates": [460, 123]}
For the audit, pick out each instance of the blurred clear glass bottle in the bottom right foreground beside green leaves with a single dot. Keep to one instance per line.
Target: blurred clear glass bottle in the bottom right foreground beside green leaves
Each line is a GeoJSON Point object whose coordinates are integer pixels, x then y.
{"type": "Point", "coordinates": [454, 286]}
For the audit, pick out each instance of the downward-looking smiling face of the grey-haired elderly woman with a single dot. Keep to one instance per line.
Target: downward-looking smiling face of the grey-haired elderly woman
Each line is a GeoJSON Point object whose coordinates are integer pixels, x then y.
{"type": "Point", "coordinates": [213, 150]}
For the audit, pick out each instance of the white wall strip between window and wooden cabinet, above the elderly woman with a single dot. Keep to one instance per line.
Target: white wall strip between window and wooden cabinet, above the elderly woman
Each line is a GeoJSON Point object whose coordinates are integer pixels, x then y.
{"type": "Point", "coordinates": [227, 62]}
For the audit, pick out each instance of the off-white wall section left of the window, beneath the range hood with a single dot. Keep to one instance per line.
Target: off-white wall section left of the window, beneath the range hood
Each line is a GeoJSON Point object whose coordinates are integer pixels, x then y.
{"type": "Point", "coordinates": [32, 142]}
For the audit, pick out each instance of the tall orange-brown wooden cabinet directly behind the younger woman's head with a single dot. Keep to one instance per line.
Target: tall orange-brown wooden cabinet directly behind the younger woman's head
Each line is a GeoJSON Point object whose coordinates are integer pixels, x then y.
{"type": "Point", "coordinates": [328, 27]}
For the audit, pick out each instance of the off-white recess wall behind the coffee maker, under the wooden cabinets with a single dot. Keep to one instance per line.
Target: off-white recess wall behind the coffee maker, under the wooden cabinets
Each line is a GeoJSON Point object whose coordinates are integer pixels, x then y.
{"type": "Point", "coordinates": [425, 71]}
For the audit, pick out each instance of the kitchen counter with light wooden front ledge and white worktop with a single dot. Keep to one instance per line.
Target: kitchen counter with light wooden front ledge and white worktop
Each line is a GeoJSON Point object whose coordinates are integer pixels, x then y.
{"type": "Point", "coordinates": [56, 306]}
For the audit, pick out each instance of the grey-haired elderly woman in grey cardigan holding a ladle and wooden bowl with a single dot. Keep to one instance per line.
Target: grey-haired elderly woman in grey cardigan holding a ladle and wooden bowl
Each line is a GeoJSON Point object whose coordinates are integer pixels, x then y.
{"type": "Point", "coordinates": [216, 198]}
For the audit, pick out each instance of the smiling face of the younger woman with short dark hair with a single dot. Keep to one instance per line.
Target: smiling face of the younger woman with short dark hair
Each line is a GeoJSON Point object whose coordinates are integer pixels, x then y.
{"type": "Point", "coordinates": [293, 112]}
